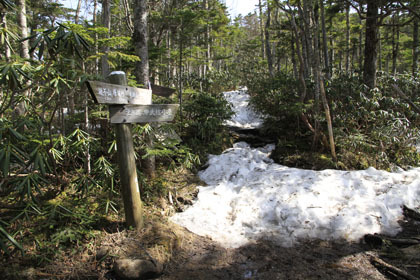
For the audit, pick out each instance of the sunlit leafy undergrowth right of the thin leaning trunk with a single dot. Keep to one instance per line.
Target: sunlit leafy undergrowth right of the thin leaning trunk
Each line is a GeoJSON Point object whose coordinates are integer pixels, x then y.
{"type": "Point", "coordinates": [375, 127]}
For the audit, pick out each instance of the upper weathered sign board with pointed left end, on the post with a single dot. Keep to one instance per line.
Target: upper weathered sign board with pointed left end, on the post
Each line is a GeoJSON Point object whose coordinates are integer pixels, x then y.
{"type": "Point", "coordinates": [105, 93]}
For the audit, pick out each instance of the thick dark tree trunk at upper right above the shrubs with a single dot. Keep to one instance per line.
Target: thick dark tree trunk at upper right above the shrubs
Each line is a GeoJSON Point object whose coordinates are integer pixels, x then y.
{"type": "Point", "coordinates": [371, 43]}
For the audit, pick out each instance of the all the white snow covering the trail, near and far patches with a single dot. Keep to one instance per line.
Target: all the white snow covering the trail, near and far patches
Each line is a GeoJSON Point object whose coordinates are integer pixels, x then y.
{"type": "Point", "coordinates": [249, 197]}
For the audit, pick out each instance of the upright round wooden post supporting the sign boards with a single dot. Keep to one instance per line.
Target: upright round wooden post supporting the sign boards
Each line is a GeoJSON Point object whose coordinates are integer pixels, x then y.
{"type": "Point", "coordinates": [133, 206]}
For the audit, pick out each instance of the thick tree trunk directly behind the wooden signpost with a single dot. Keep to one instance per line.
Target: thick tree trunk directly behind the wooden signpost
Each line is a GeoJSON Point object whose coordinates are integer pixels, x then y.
{"type": "Point", "coordinates": [140, 39]}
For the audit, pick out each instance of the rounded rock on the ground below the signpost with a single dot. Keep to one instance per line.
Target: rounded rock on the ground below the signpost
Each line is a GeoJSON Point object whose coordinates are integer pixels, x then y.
{"type": "Point", "coordinates": [137, 269]}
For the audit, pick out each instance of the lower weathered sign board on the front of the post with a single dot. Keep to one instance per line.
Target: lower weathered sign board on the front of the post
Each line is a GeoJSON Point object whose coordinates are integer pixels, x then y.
{"type": "Point", "coordinates": [142, 113]}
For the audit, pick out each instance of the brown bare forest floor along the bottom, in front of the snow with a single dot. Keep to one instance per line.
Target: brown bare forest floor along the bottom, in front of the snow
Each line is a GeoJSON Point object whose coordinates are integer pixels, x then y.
{"type": "Point", "coordinates": [185, 255]}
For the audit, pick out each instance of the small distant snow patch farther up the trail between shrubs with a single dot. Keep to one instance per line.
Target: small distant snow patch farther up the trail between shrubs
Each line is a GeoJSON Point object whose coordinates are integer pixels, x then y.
{"type": "Point", "coordinates": [244, 116]}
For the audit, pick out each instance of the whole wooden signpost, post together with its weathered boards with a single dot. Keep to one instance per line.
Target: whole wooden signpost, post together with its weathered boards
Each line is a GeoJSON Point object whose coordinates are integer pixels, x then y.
{"type": "Point", "coordinates": [130, 105]}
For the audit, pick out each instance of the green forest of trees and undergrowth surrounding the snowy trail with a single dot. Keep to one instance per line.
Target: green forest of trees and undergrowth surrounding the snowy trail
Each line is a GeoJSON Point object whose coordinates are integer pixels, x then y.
{"type": "Point", "coordinates": [336, 81]}
